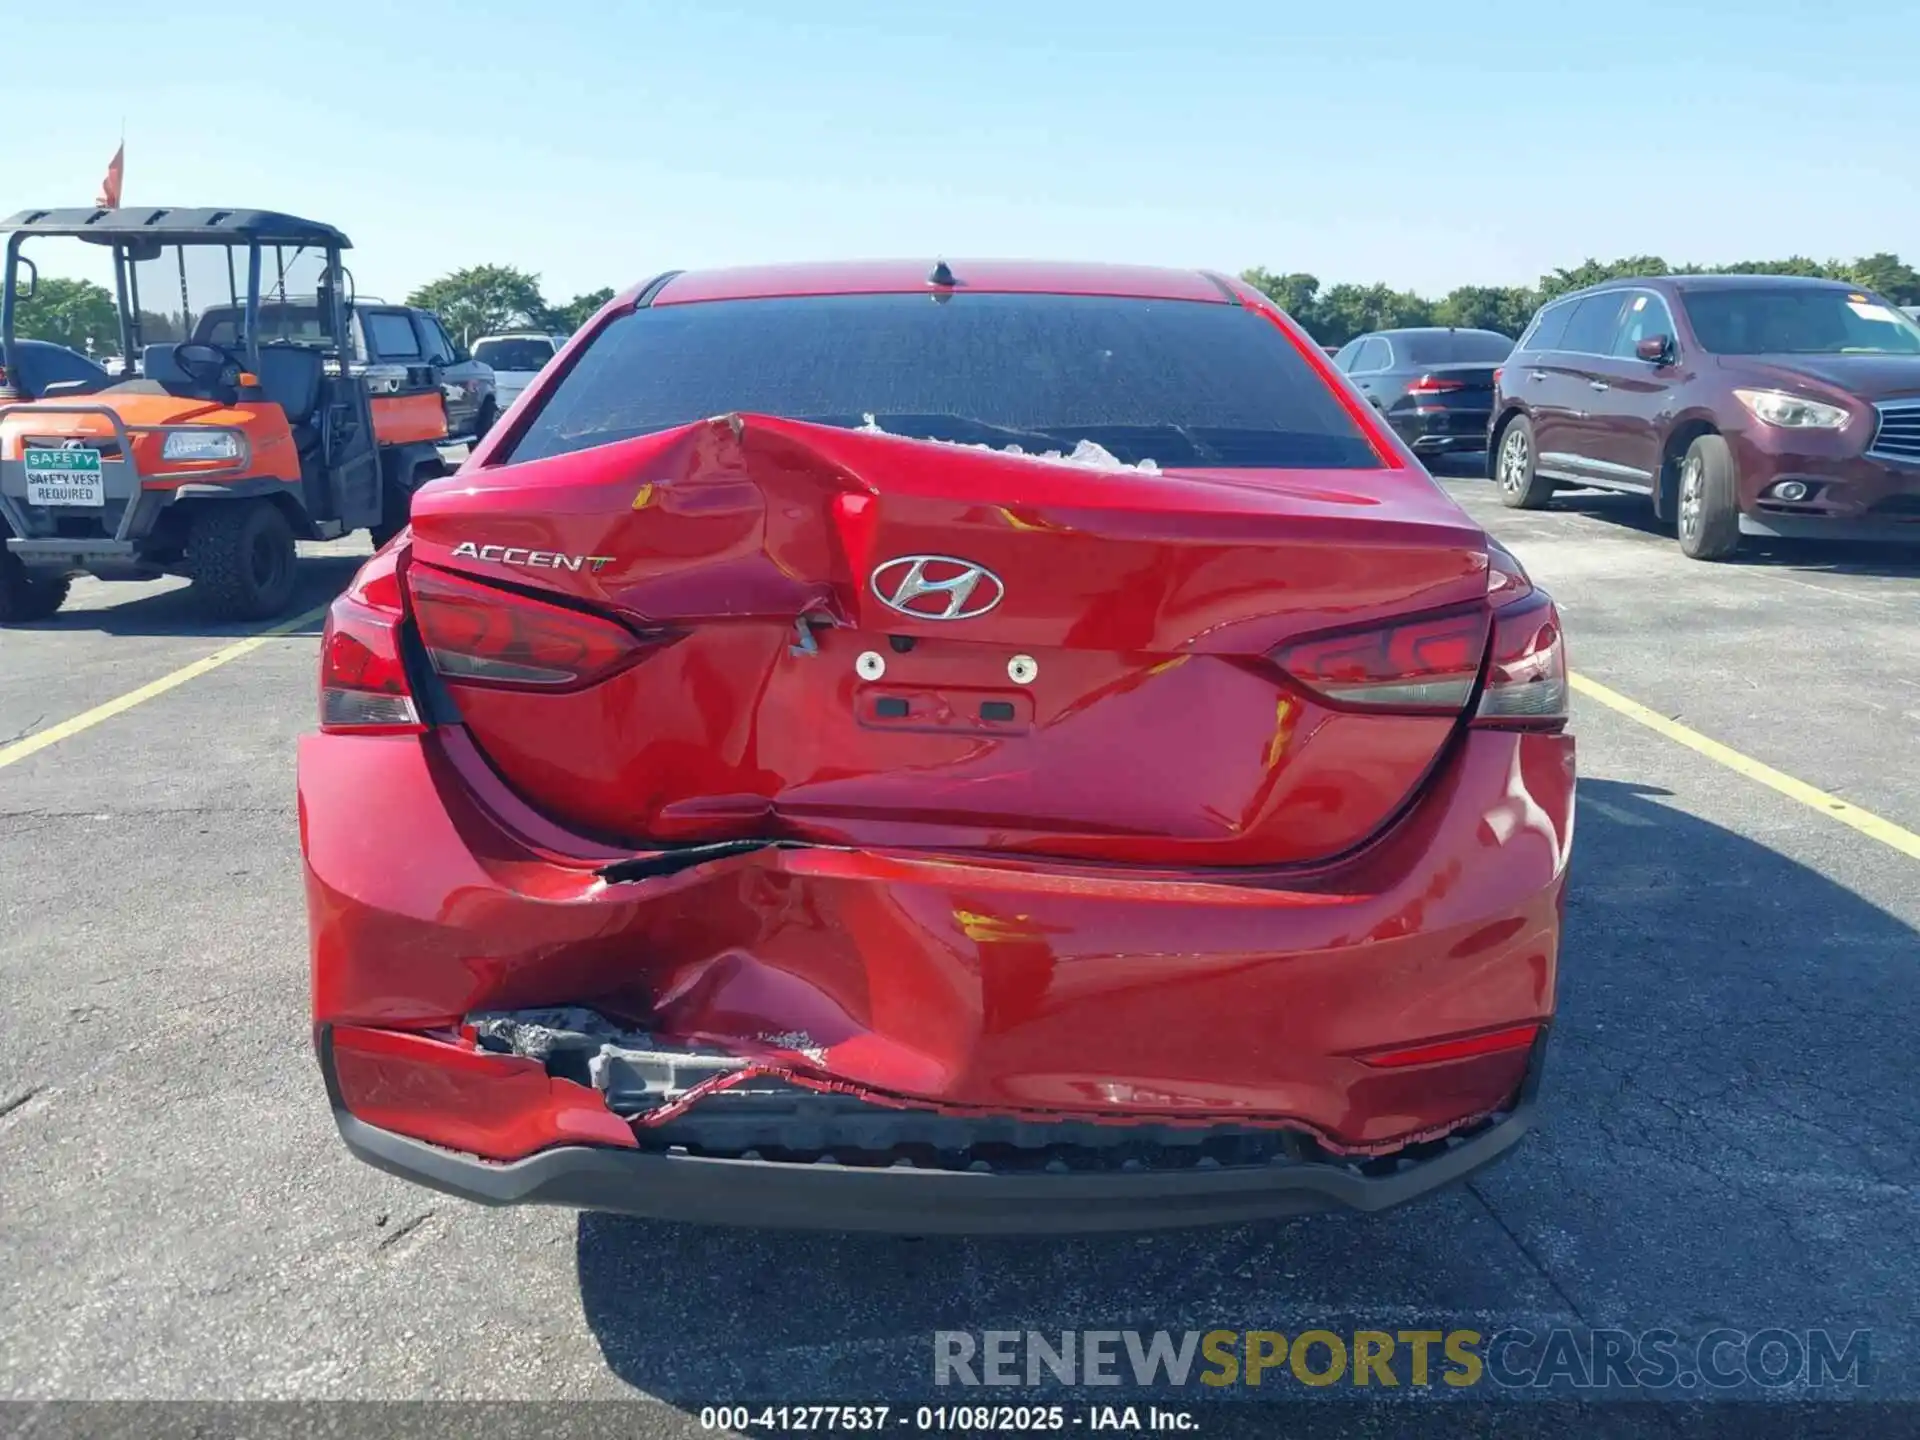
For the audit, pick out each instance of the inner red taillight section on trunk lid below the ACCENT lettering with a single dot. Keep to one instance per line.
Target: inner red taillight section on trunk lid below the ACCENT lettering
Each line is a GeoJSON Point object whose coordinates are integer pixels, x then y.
{"type": "Point", "coordinates": [483, 636]}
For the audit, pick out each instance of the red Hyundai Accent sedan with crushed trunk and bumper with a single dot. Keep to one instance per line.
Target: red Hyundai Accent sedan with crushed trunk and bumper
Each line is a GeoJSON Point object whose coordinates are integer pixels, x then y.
{"type": "Point", "coordinates": [938, 750]}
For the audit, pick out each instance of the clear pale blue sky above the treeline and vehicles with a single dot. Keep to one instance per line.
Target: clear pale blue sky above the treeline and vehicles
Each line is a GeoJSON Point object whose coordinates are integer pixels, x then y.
{"type": "Point", "coordinates": [598, 143]}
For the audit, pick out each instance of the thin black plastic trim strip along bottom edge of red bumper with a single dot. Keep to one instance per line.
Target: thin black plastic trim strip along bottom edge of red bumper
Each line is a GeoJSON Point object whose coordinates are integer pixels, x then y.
{"type": "Point", "coordinates": [903, 1201]}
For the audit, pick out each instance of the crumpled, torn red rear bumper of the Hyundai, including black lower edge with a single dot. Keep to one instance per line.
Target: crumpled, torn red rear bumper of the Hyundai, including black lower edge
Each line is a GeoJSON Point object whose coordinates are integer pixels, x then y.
{"type": "Point", "coordinates": [980, 990]}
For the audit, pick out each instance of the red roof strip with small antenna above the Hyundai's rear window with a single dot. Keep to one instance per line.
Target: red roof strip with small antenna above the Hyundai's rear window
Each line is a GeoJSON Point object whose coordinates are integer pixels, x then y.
{"type": "Point", "coordinates": [913, 277]}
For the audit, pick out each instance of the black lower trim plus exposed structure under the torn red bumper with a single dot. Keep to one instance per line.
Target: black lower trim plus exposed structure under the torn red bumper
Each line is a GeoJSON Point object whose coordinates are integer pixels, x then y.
{"type": "Point", "coordinates": [731, 1143]}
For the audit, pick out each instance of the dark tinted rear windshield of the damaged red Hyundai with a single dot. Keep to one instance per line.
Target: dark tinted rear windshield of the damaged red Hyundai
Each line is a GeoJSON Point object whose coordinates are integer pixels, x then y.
{"type": "Point", "coordinates": [1176, 383]}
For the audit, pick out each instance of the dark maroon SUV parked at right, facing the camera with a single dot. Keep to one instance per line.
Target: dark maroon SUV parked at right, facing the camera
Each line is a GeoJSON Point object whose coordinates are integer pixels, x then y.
{"type": "Point", "coordinates": [1739, 404]}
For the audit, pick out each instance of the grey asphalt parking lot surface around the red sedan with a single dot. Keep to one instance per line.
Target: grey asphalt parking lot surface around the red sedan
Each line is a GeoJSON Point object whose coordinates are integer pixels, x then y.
{"type": "Point", "coordinates": [1727, 1130]}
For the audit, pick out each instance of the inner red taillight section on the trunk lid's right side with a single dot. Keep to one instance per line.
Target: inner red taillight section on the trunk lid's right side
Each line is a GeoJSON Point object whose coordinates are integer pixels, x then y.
{"type": "Point", "coordinates": [1426, 665]}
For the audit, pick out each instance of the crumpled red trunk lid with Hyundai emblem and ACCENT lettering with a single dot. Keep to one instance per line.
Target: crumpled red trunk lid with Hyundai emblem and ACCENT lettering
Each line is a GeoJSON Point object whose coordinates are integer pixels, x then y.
{"type": "Point", "coordinates": [890, 642]}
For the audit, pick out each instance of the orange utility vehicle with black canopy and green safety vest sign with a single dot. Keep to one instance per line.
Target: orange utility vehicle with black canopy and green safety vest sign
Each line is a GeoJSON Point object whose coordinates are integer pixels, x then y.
{"type": "Point", "coordinates": [229, 444]}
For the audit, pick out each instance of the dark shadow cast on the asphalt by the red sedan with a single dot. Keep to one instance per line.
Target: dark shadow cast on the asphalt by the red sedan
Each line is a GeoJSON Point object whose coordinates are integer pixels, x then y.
{"type": "Point", "coordinates": [1725, 1140]}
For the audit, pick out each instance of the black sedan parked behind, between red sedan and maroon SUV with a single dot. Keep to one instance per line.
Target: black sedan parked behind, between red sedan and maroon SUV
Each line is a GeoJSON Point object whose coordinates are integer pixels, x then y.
{"type": "Point", "coordinates": [1433, 385]}
